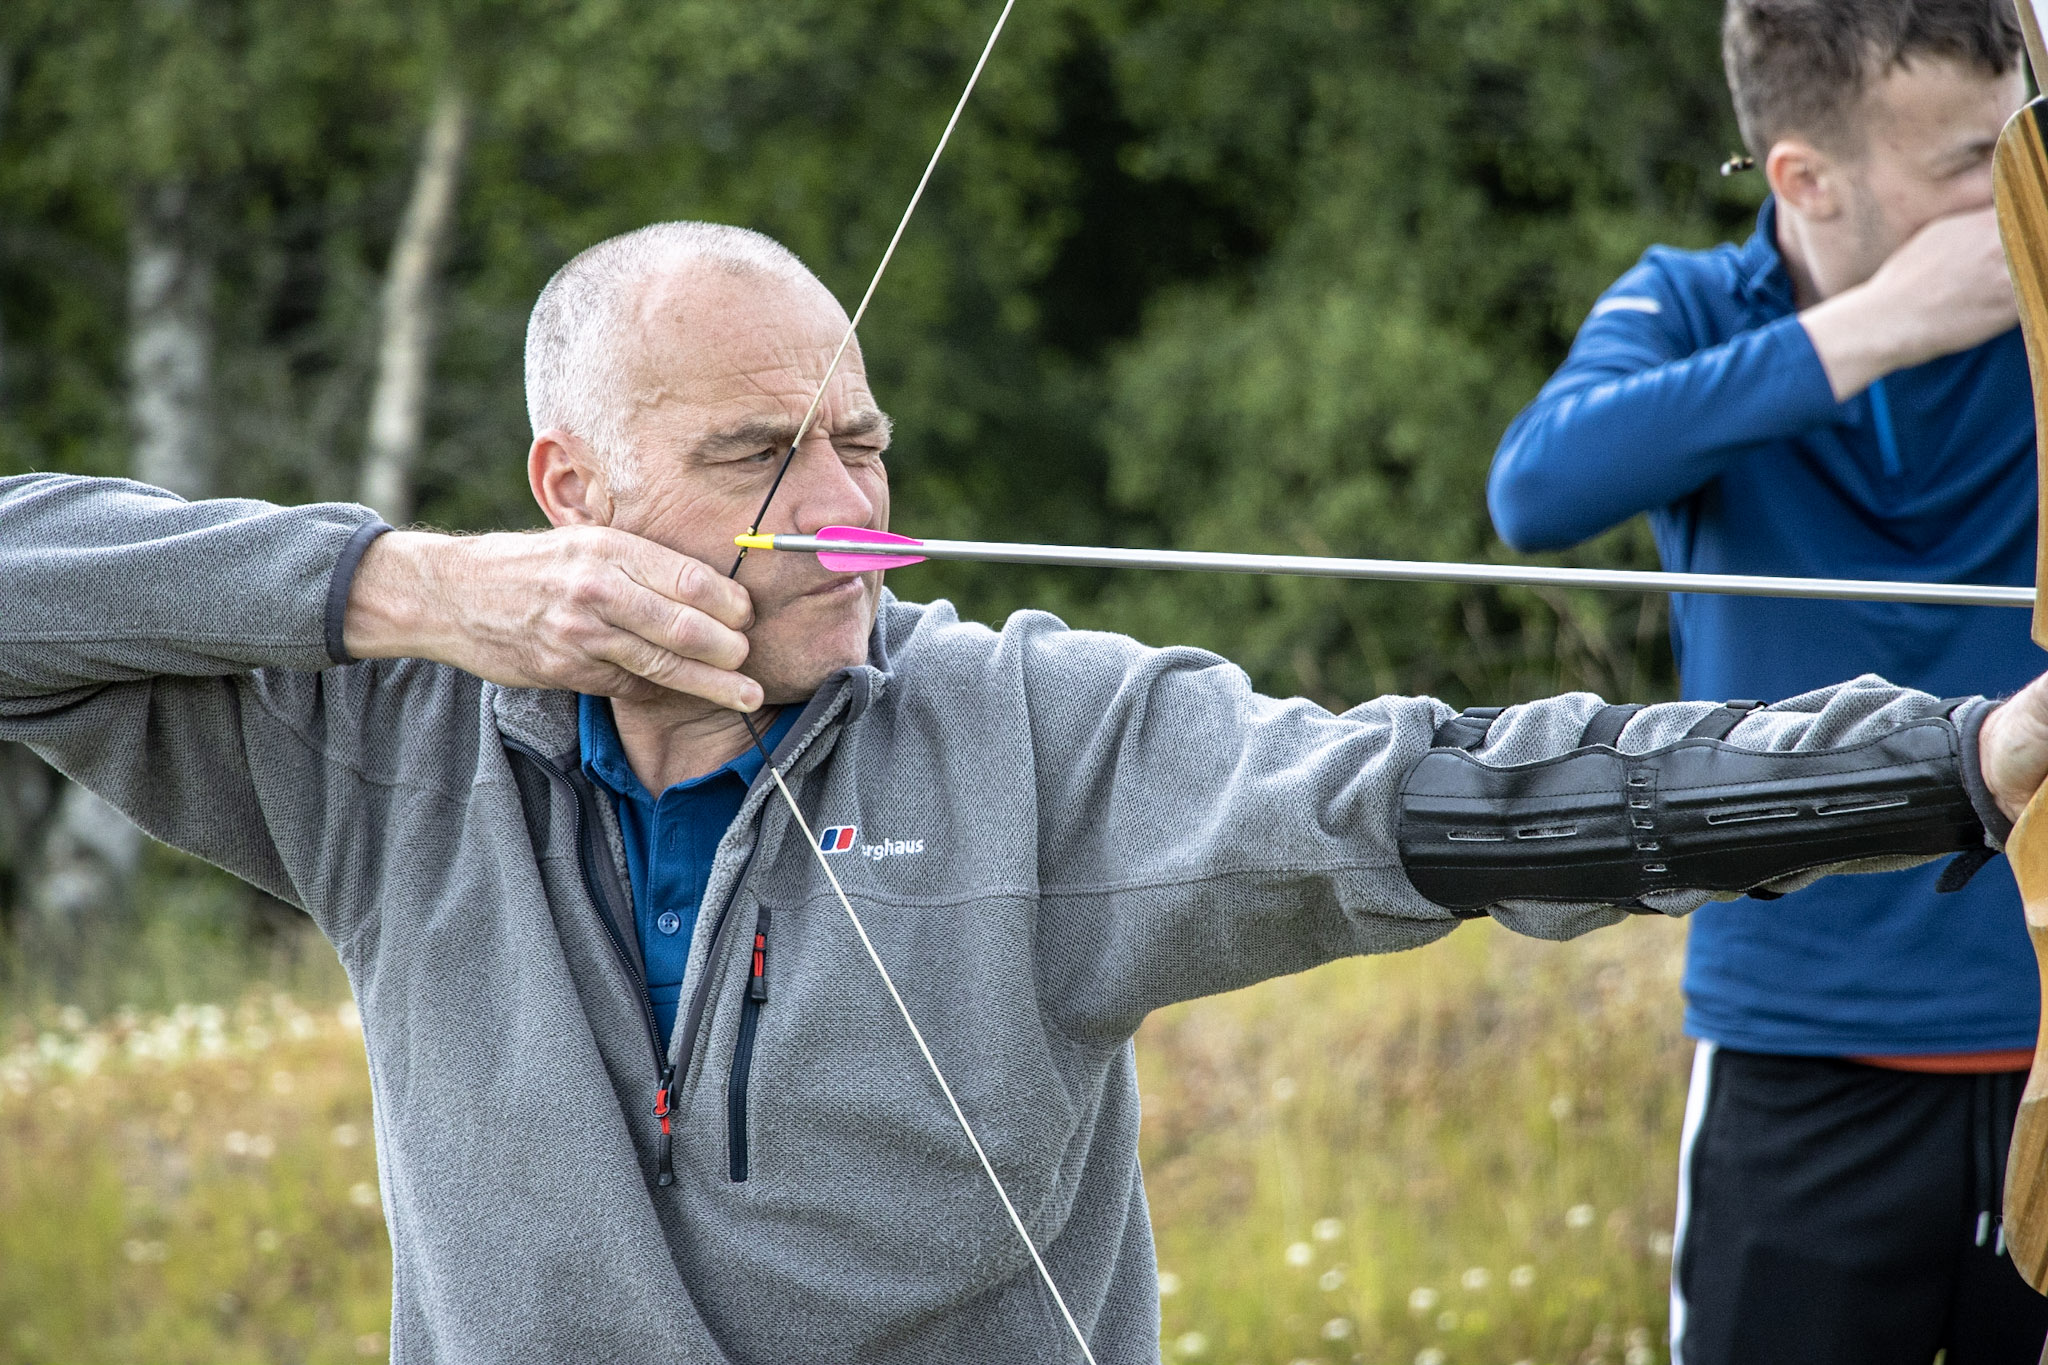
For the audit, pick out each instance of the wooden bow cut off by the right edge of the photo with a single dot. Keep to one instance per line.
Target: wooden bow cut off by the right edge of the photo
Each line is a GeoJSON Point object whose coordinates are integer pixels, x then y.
{"type": "Point", "coordinates": [2020, 179]}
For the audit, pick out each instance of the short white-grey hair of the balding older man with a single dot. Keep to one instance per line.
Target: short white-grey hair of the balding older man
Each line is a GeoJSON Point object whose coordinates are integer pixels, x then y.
{"type": "Point", "coordinates": [579, 341]}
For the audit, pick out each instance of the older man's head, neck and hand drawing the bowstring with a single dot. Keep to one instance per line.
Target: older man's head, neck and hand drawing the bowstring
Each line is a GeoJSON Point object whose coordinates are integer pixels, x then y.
{"type": "Point", "coordinates": [665, 396]}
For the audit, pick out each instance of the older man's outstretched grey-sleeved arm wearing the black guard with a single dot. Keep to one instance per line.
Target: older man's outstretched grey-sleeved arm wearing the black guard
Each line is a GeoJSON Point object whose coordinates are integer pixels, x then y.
{"type": "Point", "coordinates": [1197, 836]}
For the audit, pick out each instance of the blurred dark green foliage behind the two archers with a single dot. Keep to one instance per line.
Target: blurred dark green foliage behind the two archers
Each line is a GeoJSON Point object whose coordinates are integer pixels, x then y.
{"type": "Point", "coordinates": [1205, 275]}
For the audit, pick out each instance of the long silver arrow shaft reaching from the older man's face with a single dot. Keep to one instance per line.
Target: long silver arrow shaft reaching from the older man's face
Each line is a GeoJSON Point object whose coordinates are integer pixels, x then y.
{"type": "Point", "coordinates": [1428, 572]}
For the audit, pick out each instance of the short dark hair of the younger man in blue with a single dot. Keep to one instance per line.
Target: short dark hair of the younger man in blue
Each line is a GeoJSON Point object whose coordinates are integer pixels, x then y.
{"type": "Point", "coordinates": [1799, 67]}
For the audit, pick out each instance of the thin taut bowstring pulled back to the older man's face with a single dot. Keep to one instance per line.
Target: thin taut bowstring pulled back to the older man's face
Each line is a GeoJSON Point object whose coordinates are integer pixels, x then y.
{"type": "Point", "coordinates": [861, 930]}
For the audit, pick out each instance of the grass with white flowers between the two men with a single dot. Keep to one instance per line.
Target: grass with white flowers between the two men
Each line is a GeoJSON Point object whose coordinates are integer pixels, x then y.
{"type": "Point", "coordinates": [1455, 1155]}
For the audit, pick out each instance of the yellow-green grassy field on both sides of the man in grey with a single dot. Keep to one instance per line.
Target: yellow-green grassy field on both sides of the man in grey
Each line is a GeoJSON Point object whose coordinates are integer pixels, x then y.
{"type": "Point", "coordinates": [1443, 1157]}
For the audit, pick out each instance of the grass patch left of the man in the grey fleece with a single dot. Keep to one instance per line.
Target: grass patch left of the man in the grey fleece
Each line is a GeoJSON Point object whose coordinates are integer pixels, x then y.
{"type": "Point", "coordinates": [191, 1188]}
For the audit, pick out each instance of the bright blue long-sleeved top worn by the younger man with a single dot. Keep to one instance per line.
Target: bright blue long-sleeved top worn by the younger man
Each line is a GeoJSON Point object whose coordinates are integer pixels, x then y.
{"type": "Point", "coordinates": [1693, 394]}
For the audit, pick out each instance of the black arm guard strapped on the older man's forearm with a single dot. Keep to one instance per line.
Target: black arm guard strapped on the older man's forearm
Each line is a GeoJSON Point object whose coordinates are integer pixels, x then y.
{"type": "Point", "coordinates": [1607, 828]}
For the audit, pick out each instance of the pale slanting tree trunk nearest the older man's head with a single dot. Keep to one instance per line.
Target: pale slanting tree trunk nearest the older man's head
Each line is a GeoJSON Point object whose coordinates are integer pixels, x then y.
{"type": "Point", "coordinates": [398, 406]}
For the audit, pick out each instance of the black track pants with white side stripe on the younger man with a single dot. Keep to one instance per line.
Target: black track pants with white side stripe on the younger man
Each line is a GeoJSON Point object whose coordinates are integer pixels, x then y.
{"type": "Point", "coordinates": [1832, 1213]}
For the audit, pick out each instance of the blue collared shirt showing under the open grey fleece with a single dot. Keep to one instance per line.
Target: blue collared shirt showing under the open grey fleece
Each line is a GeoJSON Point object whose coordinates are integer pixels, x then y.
{"type": "Point", "coordinates": [671, 842]}
